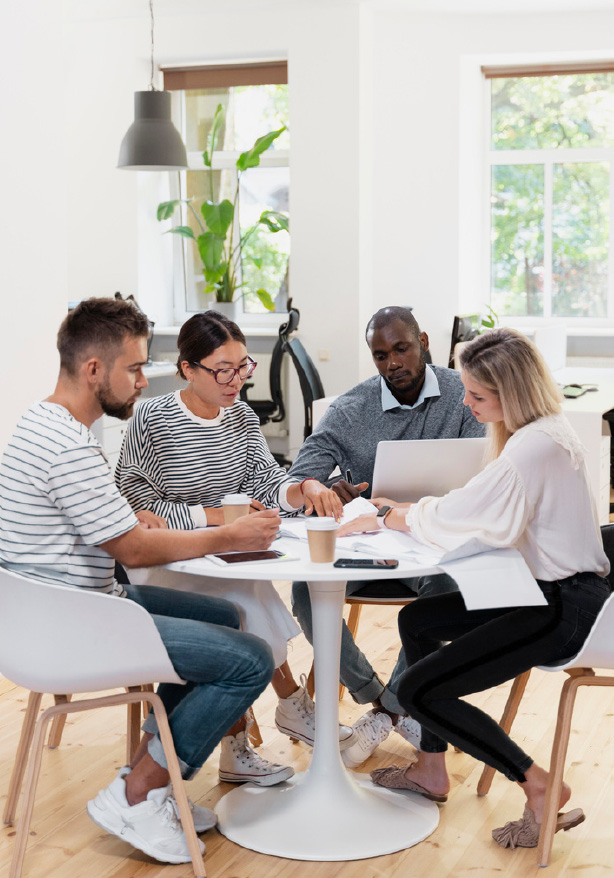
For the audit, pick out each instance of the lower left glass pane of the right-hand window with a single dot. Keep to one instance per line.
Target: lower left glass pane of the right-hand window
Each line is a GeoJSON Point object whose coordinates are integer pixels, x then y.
{"type": "Point", "coordinates": [517, 239]}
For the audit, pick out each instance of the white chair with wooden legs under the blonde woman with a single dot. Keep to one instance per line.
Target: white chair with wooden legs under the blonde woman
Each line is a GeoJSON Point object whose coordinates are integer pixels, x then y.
{"type": "Point", "coordinates": [597, 652]}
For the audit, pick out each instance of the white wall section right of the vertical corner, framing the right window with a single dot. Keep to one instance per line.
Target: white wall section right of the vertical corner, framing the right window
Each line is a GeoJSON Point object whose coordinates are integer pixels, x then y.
{"type": "Point", "coordinates": [428, 110]}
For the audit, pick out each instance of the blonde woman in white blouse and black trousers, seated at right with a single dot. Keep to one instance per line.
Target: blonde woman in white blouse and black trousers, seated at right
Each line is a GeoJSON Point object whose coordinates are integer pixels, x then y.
{"type": "Point", "coordinates": [534, 496]}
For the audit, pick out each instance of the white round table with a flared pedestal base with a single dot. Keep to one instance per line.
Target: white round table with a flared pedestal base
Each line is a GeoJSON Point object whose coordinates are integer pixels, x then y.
{"type": "Point", "coordinates": [326, 813]}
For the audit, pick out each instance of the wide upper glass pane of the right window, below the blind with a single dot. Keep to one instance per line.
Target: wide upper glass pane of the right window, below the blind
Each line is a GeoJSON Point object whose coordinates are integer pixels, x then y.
{"type": "Point", "coordinates": [549, 112]}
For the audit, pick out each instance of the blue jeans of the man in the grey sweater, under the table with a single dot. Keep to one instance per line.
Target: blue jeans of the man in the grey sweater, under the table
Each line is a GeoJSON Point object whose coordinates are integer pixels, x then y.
{"type": "Point", "coordinates": [356, 672]}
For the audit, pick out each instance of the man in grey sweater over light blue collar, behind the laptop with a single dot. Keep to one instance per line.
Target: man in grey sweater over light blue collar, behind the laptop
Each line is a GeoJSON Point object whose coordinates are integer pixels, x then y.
{"type": "Point", "coordinates": [408, 399]}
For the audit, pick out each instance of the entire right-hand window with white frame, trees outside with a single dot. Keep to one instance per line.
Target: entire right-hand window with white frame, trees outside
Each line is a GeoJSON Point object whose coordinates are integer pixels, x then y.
{"type": "Point", "coordinates": [551, 159]}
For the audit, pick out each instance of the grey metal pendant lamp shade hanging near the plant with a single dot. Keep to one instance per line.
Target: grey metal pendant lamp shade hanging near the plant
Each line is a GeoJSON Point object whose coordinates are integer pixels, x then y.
{"type": "Point", "coordinates": [152, 143]}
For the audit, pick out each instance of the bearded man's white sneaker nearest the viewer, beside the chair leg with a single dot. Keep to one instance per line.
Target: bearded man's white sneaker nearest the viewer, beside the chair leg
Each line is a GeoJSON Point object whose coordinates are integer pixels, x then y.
{"type": "Point", "coordinates": [151, 826]}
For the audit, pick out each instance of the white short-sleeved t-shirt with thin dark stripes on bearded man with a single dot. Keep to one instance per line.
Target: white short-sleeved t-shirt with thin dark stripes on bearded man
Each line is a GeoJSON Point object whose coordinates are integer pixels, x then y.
{"type": "Point", "coordinates": [58, 502]}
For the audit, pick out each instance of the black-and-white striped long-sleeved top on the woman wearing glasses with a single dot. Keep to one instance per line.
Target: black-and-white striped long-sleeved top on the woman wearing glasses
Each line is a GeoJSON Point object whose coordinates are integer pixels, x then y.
{"type": "Point", "coordinates": [174, 463]}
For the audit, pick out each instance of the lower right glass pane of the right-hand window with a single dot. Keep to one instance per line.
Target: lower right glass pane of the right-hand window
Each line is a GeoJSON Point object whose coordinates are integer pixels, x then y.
{"type": "Point", "coordinates": [580, 232]}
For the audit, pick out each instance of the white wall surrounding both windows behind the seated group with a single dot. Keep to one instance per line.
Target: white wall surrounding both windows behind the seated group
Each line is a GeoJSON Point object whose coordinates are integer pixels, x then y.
{"type": "Point", "coordinates": [379, 206]}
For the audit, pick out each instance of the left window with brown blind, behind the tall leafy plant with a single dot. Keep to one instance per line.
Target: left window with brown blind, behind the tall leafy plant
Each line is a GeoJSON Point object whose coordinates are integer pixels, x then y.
{"type": "Point", "coordinates": [255, 101]}
